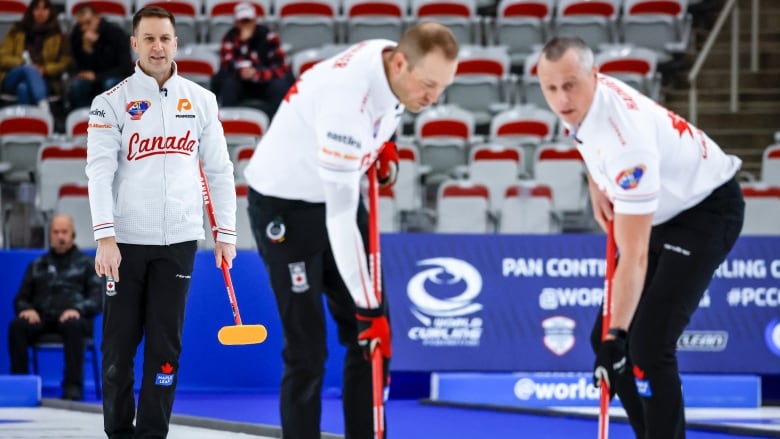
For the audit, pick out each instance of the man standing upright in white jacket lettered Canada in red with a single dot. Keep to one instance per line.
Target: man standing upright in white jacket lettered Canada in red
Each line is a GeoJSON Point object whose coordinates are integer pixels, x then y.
{"type": "Point", "coordinates": [146, 139]}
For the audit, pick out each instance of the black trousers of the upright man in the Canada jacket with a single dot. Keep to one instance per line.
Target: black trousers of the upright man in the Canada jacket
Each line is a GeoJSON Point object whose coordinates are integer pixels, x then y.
{"type": "Point", "coordinates": [149, 300]}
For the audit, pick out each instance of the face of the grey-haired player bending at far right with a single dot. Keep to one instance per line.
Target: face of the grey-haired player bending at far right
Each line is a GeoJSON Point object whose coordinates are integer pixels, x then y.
{"type": "Point", "coordinates": [567, 88]}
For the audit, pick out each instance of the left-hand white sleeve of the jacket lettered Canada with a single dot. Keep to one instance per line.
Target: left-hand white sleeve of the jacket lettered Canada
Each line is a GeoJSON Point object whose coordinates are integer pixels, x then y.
{"type": "Point", "coordinates": [104, 140]}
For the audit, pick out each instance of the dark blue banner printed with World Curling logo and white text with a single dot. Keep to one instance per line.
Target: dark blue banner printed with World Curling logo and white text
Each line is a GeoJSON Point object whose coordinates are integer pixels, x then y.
{"type": "Point", "coordinates": [528, 303]}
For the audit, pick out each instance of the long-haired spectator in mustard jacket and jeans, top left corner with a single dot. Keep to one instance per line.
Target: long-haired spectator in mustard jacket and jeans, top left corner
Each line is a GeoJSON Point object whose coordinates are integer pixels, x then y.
{"type": "Point", "coordinates": [34, 55]}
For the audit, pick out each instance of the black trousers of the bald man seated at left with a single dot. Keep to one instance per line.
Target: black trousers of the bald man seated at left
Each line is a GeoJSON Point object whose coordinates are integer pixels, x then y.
{"type": "Point", "coordinates": [22, 334]}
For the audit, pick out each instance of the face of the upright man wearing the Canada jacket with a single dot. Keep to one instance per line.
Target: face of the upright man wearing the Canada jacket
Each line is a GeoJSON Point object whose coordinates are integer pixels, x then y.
{"type": "Point", "coordinates": [155, 43]}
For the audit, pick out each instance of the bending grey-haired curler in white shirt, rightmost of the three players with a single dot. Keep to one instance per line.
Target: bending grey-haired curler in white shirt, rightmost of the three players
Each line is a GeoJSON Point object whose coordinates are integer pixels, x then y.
{"type": "Point", "coordinates": [676, 207]}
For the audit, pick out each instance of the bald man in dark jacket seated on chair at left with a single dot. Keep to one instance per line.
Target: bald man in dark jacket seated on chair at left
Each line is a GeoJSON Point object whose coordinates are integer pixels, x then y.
{"type": "Point", "coordinates": [60, 293]}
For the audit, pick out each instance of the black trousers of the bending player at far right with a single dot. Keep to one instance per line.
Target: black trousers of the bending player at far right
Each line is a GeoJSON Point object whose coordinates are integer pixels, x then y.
{"type": "Point", "coordinates": [684, 253]}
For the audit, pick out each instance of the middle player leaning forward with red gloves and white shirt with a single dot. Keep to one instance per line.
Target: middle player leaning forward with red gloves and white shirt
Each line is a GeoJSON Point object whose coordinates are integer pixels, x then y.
{"type": "Point", "coordinates": [306, 215]}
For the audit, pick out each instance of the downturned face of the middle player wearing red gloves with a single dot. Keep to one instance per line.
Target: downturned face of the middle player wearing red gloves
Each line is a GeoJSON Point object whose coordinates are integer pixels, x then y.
{"type": "Point", "coordinates": [420, 86]}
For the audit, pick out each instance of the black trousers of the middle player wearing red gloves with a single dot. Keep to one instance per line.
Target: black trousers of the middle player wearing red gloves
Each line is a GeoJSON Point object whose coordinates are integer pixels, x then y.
{"type": "Point", "coordinates": [301, 268]}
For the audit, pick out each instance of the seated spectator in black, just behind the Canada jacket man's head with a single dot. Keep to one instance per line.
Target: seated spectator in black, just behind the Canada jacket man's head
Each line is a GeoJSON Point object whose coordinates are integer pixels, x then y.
{"type": "Point", "coordinates": [101, 56]}
